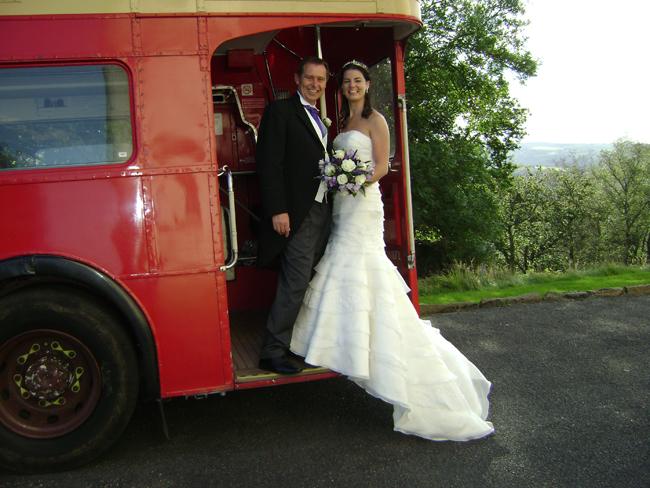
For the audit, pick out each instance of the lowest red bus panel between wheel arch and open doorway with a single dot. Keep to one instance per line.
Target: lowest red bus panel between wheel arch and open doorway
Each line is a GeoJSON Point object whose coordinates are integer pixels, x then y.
{"type": "Point", "coordinates": [185, 312]}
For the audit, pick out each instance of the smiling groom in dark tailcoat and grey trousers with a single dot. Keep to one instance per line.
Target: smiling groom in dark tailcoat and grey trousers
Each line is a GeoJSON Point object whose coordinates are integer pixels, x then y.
{"type": "Point", "coordinates": [296, 217]}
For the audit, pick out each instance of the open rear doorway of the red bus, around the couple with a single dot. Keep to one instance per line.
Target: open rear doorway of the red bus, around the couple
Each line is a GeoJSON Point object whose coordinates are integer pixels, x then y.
{"type": "Point", "coordinates": [247, 73]}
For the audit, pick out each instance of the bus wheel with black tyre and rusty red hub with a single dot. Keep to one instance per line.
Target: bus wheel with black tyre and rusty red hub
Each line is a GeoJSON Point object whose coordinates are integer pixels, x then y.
{"type": "Point", "coordinates": [68, 378]}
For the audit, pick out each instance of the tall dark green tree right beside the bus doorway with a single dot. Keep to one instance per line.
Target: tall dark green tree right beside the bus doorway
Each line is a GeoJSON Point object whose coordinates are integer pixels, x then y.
{"type": "Point", "coordinates": [462, 120]}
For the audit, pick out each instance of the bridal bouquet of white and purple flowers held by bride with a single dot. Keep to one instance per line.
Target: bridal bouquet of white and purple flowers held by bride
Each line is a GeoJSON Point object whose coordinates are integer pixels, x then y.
{"type": "Point", "coordinates": [345, 173]}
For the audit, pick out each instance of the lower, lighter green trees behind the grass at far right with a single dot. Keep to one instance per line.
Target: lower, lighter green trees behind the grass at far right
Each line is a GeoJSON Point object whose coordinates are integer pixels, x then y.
{"type": "Point", "coordinates": [579, 215]}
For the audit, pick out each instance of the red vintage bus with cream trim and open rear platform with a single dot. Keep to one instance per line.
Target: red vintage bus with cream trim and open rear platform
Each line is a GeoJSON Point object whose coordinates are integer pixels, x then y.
{"type": "Point", "coordinates": [129, 200]}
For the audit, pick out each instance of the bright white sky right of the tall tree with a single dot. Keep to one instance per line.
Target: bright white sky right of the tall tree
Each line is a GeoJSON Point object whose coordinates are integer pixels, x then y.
{"type": "Point", "coordinates": [593, 84]}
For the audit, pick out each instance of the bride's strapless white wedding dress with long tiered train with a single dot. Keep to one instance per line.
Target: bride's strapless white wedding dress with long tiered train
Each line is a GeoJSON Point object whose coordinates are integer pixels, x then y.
{"type": "Point", "coordinates": [357, 319]}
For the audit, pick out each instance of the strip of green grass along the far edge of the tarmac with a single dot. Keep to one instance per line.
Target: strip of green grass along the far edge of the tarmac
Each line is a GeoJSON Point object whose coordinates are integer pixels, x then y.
{"type": "Point", "coordinates": [463, 285]}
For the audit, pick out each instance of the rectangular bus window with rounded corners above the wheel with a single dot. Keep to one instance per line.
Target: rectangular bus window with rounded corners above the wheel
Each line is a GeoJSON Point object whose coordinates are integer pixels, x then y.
{"type": "Point", "coordinates": [64, 116]}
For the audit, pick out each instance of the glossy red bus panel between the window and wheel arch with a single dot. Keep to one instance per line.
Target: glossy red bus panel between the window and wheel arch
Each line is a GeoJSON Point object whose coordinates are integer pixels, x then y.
{"type": "Point", "coordinates": [99, 222]}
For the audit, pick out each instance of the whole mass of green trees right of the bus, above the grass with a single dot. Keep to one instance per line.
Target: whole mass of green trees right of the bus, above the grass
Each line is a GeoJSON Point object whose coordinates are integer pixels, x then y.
{"type": "Point", "coordinates": [463, 124]}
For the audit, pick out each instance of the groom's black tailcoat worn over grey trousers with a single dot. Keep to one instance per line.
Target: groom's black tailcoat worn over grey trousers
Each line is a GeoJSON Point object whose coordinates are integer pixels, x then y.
{"type": "Point", "coordinates": [288, 152]}
